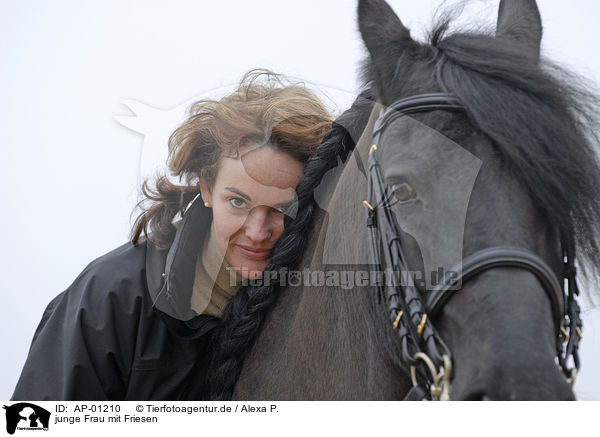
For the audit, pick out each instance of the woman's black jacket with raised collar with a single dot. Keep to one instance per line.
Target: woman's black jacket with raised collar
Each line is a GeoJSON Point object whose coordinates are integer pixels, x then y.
{"type": "Point", "coordinates": [124, 329]}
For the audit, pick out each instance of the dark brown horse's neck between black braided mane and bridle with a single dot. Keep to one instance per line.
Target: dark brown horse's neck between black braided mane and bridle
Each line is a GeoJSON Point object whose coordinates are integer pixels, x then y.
{"type": "Point", "coordinates": [320, 341]}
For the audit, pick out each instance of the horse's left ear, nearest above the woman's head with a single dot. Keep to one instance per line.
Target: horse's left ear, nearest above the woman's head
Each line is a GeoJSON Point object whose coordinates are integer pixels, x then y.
{"type": "Point", "coordinates": [381, 29]}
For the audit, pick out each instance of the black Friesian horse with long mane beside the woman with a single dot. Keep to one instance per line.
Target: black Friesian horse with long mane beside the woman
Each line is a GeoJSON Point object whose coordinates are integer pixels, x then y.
{"type": "Point", "coordinates": [515, 167]}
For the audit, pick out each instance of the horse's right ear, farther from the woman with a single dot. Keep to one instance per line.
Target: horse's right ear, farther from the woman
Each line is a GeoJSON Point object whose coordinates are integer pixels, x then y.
{"type": "Point", "coordinates": [520, 21]}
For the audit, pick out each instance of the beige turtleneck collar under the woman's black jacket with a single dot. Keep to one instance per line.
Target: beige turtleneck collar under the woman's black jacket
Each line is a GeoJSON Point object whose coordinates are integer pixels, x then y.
{"type": "Point", "coordinates": [213, 281]}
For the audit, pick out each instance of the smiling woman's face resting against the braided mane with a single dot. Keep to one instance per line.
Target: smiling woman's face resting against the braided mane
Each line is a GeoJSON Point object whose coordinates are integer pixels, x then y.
{"type": "Point", "coordinates": [247, 199]}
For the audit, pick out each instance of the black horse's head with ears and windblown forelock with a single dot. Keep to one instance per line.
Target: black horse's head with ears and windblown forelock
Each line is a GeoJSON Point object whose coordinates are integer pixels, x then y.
{"type": "Point", "coordinates": [515, 168]}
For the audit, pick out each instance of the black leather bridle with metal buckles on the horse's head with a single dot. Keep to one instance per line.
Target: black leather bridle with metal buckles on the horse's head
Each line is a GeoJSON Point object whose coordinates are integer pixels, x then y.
{"type": "Point", "coordinates": [424, 354]}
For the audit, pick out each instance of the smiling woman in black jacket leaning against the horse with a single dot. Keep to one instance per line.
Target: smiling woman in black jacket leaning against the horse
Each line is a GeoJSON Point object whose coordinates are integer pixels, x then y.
{"type": "Point", "coordinates": [136, 322]}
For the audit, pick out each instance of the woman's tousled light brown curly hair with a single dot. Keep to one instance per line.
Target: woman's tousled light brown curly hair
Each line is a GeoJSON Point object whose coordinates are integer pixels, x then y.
{"type": "Point", "coordinates": [265, 108]}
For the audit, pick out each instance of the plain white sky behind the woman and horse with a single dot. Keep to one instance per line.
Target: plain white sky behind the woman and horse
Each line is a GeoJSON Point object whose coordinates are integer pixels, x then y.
{"type": "Point", "coordinates": [70, 171]}
